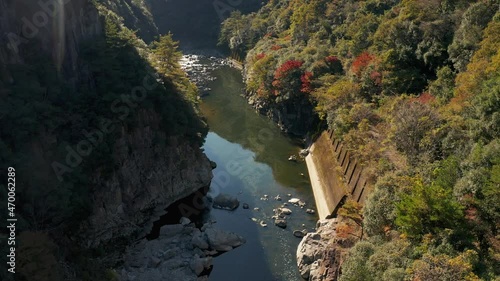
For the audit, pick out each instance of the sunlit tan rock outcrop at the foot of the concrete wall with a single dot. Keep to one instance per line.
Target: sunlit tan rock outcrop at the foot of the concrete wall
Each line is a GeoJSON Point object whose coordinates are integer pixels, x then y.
{"type": "Point", "coordinates": [318, 255]}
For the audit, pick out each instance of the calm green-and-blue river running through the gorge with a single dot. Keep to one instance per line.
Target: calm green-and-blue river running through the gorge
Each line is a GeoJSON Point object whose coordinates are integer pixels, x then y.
{"type": "Point", "coordinates": [252, 161]}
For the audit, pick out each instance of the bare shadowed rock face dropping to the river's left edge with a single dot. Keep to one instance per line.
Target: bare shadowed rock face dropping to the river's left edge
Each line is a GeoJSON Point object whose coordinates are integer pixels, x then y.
{"type": "Point", "coordinates": [150, 177]}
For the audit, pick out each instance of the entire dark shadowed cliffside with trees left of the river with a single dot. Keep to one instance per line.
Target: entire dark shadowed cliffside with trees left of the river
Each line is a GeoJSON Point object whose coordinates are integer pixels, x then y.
{"type": "Point", "coordinates": [55, 89]}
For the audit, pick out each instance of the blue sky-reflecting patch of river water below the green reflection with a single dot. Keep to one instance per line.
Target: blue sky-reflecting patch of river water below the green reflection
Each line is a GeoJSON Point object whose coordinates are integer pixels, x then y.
{"type": "Point", "coordinates": [249, 261]}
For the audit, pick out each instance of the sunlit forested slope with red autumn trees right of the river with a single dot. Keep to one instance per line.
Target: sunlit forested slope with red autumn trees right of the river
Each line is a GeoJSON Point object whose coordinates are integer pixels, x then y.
{"type": "Point", "coordinates": [413, 89]}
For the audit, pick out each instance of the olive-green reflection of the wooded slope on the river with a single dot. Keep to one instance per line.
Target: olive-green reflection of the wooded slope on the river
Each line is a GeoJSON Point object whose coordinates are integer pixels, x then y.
{"type": "Point", "coordinates": [233, 119]}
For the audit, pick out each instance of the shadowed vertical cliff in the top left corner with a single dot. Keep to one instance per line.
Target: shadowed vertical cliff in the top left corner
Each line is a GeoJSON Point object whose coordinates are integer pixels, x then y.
{"type": "Point", "coordinates": [54, 27]}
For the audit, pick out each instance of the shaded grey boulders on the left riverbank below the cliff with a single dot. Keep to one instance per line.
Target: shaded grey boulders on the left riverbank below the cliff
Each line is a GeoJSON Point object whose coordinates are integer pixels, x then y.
{"type": "Point", "coordinates": [181, 252]}
